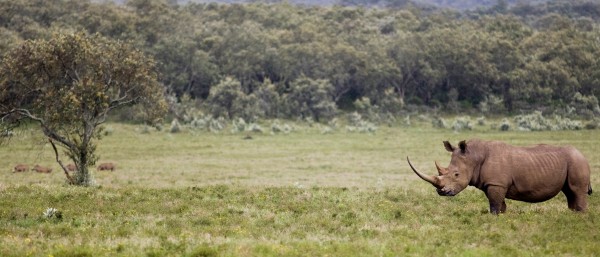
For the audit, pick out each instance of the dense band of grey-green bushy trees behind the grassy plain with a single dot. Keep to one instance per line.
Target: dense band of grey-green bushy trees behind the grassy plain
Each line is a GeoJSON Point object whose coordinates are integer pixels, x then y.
{"type": "Point", "coordinates": [286, 61]}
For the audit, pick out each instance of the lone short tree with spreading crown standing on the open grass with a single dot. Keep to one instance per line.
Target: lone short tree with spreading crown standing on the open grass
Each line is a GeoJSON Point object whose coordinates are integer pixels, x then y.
{"type": "Point", "coordinates": [68, 84]}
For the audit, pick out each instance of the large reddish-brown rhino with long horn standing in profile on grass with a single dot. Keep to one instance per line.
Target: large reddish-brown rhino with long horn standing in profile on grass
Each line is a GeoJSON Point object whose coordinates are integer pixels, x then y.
{"type": "Point", "coordinates": [530, 174]}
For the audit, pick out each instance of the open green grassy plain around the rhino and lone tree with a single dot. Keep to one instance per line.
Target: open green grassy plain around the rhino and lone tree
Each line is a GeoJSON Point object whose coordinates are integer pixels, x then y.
{"type": "Point", "coordinates": [299, 194]}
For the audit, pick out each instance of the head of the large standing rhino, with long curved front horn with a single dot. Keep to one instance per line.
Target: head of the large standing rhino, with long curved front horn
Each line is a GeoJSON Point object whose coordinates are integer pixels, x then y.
{"type": "Point", "coordinates": [456, 177]}
